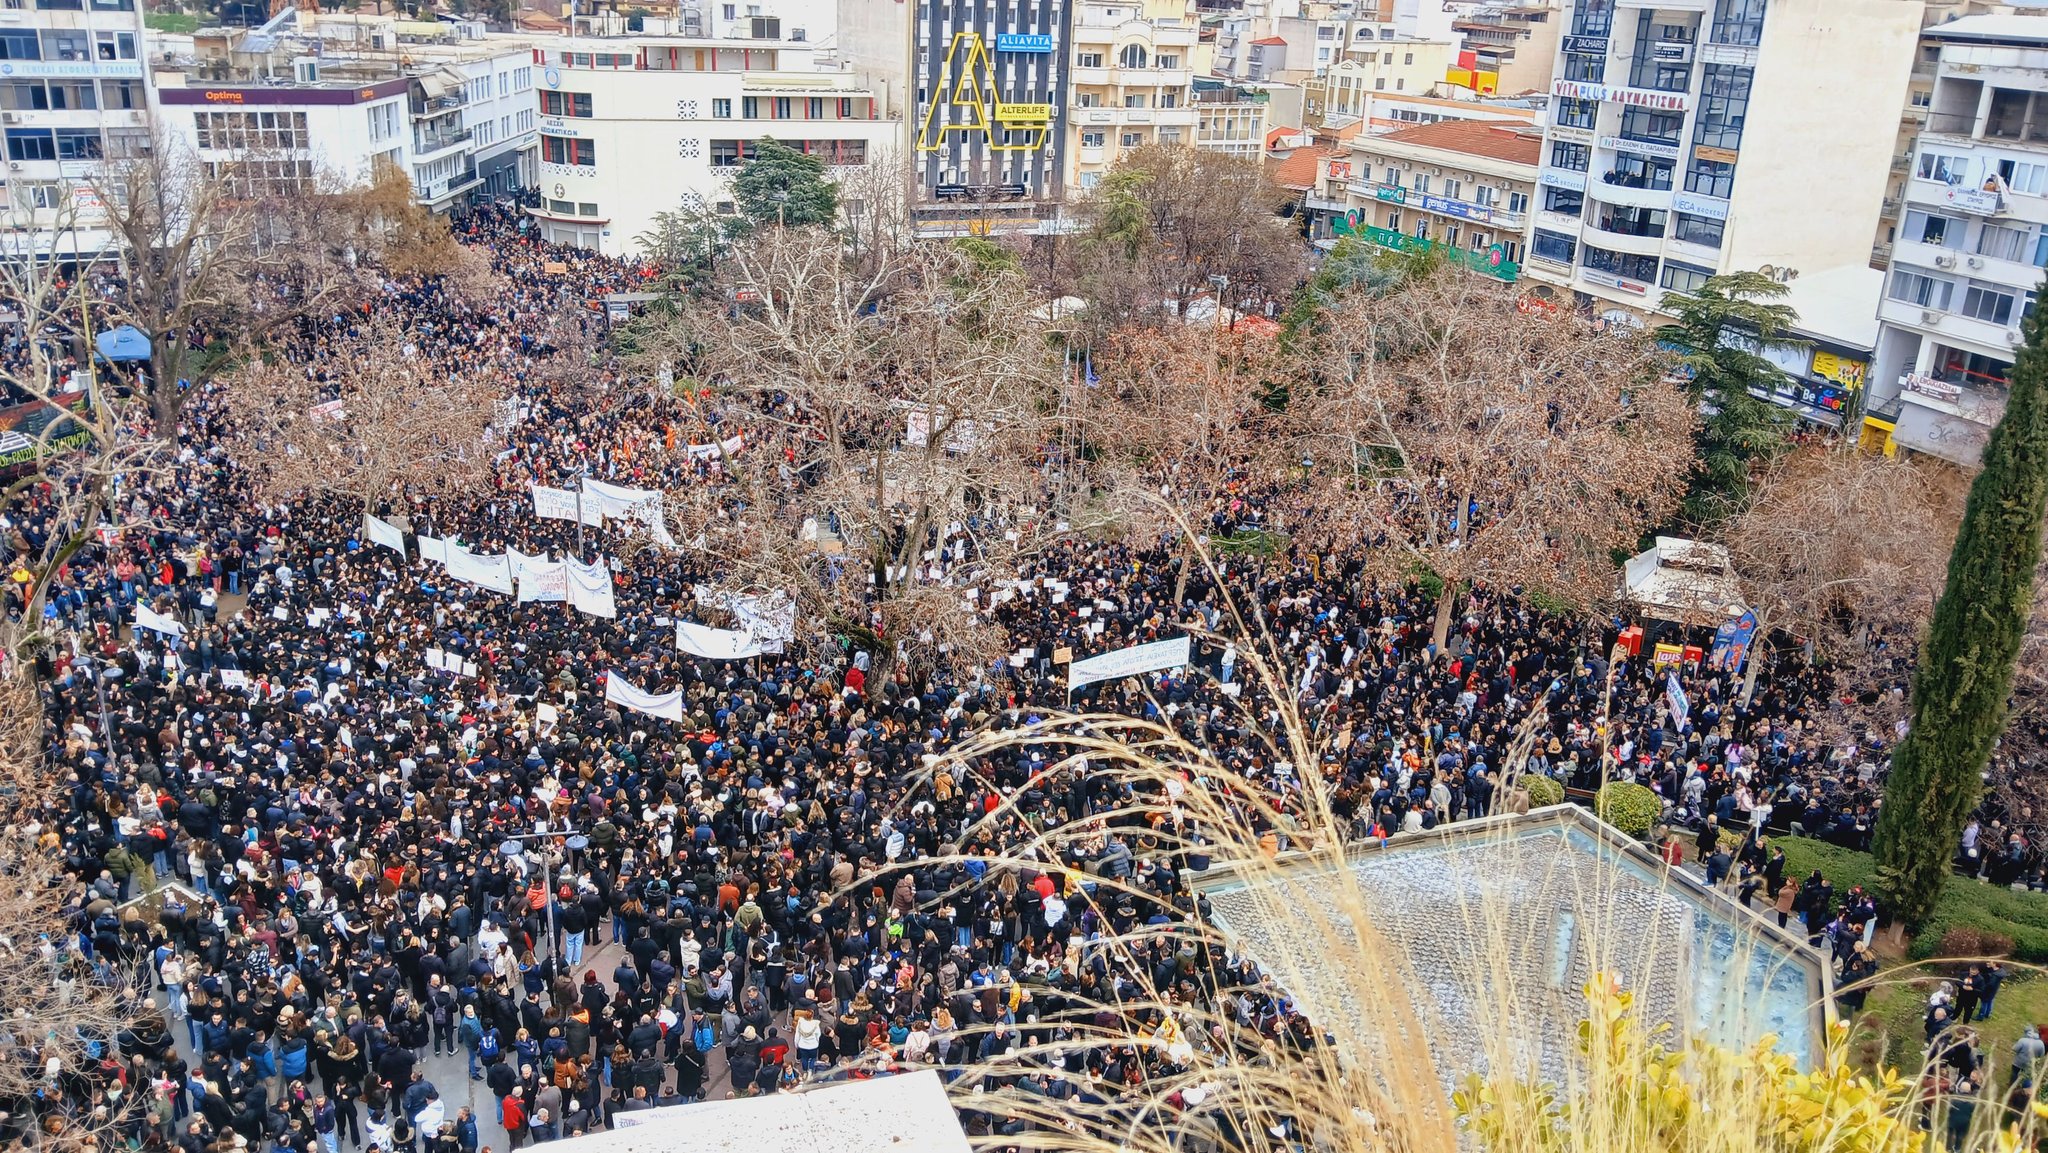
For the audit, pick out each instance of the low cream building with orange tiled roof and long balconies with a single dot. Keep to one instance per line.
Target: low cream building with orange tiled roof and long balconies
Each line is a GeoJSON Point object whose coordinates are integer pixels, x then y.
{"type": "Point", "coordinates": [1453, 187]}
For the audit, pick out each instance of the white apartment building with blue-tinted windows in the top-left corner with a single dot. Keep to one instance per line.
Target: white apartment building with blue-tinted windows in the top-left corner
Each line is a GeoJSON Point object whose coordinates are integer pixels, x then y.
{"type": "Point", "coordinates": [75, 95]}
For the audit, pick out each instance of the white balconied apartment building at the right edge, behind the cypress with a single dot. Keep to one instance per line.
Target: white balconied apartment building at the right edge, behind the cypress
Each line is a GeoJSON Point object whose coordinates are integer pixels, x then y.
{"type": "Point", "coordinates": [1971, 243]}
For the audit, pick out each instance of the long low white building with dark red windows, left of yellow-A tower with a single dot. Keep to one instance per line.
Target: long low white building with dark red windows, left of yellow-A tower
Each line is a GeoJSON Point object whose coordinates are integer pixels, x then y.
{"type": "Point", "coordinates": [638, 126]}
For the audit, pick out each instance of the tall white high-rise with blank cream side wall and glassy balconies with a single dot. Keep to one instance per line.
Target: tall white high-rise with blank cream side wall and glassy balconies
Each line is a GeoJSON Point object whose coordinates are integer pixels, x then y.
{"type": "Point", "coordinates": [1691, 138]}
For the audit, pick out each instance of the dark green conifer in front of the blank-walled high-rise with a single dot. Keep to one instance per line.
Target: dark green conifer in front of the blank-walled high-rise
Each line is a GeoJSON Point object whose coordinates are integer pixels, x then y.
{"type": "Point", "coordinates": [1738, 429]}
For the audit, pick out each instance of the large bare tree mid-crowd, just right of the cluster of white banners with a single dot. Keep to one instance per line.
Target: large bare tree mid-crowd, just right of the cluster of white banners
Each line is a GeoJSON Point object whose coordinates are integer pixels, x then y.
{"type": "Point", "coordinates": [894, 417]}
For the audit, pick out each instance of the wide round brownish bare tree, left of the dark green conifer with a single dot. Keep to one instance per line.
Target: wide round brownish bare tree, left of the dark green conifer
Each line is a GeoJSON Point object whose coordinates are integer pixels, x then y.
{"type": "Point", "coordinates": [1447, 431]}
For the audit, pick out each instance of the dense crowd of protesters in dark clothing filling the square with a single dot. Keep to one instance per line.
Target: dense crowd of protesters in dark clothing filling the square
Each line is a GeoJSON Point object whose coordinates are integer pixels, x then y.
{"type": "Point", "coordinates": [380, 863]}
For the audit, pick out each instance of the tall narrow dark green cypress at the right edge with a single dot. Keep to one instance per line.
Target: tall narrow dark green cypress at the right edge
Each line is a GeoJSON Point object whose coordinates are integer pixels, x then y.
{"type": "Point", "coordinates": [1967, 667]}
